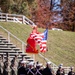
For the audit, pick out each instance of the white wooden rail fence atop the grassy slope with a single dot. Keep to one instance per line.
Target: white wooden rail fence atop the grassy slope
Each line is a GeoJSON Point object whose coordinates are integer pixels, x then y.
{"type": "Point", "coordinates": [15, 18]}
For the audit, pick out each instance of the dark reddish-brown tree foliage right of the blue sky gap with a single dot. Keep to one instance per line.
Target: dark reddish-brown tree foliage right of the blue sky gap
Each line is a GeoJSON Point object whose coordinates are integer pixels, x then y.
{"type": "Point", "coordinates": [68, 13]}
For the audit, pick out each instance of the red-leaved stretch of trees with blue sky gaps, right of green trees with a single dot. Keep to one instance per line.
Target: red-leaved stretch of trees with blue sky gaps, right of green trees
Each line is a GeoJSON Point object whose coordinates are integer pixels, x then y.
{"type": "Point", "coordinates": [56, 13]}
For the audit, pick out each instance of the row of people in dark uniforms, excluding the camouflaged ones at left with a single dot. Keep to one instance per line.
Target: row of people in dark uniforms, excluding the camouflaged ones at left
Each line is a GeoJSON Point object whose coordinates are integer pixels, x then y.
{"type": "Point", "coordinates": [40, 70]}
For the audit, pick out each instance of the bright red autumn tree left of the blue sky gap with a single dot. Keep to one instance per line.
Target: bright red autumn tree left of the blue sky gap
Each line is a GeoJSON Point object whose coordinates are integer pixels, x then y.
{"type": "Point", "coordinates": [42, 15]}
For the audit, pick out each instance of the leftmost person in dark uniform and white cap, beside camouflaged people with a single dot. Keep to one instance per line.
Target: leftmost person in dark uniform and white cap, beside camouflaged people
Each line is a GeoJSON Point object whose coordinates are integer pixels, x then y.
{"type": "Point", "coordinates": [22, 69]}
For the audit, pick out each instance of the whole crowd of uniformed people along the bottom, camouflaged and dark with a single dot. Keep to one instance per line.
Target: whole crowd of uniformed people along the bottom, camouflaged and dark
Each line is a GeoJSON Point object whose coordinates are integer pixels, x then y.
{"type": "Point", "coordinates": [22, 67]}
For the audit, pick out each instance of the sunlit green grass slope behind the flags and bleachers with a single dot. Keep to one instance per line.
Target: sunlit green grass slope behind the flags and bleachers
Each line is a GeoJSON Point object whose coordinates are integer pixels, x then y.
{"type": "Point", "coordinates": [61, 44]}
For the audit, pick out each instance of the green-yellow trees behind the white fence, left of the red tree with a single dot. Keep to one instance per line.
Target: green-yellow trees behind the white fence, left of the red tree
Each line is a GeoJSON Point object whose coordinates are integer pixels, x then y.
{"type": "Point", "coordinates": [17, 6]}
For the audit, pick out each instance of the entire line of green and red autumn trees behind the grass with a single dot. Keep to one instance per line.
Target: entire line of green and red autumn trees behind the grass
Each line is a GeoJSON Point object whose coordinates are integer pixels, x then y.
{"type": "Point", "coordinates": [45, 13]}
